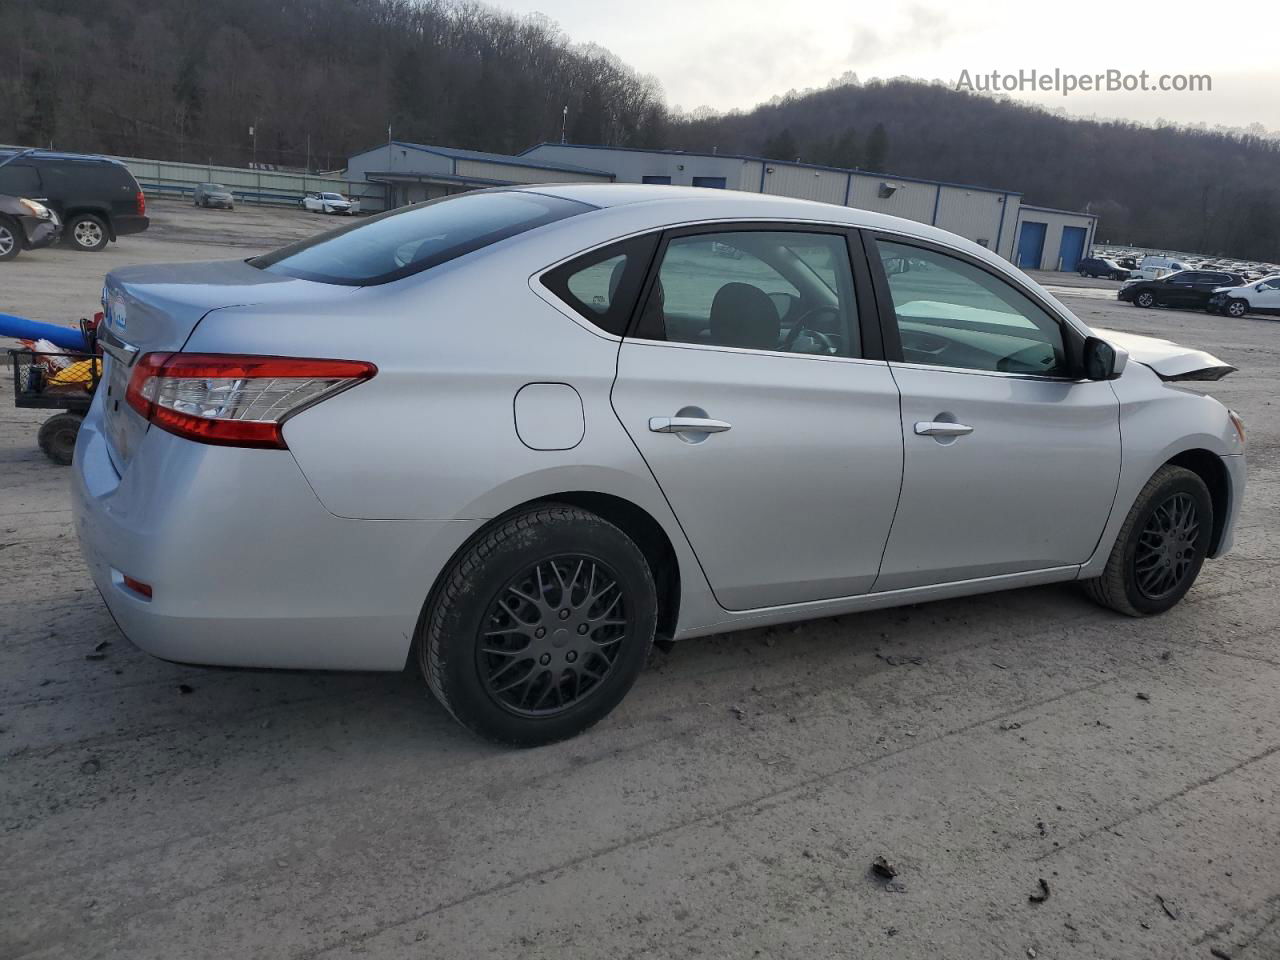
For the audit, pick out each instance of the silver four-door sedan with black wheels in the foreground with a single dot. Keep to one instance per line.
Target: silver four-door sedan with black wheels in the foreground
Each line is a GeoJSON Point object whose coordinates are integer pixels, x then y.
{"type": "Point", "coordinates": [519, 436]}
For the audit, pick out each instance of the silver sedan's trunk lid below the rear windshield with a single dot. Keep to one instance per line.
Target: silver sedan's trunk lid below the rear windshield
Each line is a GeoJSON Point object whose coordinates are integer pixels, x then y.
{"type": "Point", "coordinates": [157, 308]}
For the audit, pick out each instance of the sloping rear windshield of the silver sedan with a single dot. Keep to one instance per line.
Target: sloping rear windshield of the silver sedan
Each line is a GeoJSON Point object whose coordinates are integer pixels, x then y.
{"type": "Point", "coordinates": [410, 240]}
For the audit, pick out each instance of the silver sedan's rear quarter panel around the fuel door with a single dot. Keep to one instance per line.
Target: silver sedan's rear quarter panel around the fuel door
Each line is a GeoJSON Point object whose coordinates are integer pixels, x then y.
{"type": "Point", "coordinates": [433, 436]}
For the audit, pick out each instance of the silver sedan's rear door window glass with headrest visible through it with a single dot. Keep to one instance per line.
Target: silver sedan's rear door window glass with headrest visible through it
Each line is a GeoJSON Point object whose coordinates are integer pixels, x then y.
{"type": "Point", "coordinates": [781, 291]}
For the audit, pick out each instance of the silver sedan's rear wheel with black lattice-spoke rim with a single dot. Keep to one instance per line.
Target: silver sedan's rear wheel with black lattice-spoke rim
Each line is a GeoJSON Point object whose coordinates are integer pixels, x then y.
{"type": "Point", "coordinates": [540, 628]}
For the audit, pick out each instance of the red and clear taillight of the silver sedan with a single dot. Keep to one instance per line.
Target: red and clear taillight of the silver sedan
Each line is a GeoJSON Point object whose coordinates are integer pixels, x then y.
{"type": "Point", "coordinates": [234, 400]}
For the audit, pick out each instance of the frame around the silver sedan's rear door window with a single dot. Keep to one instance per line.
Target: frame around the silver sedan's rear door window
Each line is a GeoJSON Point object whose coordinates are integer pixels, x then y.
{"type": "Point", "coordinates": [867, 318]}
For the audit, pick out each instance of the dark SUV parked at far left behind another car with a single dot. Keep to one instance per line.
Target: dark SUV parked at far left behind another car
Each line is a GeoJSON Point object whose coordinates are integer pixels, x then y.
{"type": "Point", "coordinates": [97, 199]}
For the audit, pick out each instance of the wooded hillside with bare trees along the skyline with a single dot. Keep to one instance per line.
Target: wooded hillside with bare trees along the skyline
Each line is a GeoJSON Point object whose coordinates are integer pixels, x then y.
{"type": "Point", "coordinates": [185, 80]}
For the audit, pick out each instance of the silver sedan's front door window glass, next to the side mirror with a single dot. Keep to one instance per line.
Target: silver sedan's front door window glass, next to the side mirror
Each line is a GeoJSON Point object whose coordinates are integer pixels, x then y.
{"type": "Point", "coordinates": [954, 314]}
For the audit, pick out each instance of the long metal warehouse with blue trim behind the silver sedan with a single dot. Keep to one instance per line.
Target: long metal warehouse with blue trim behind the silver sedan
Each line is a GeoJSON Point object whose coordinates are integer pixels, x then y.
{"type": "Point", "coordinates": [1035, 239]}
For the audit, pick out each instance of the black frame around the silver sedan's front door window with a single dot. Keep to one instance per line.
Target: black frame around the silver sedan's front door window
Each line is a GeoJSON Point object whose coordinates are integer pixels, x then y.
{"type": "Point", "coordinates": [1073, 337]}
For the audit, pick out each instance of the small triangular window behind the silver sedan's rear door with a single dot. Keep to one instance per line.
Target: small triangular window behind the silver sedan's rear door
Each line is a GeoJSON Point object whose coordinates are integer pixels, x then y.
{"type": "Point", "coordinates": [604, 286]}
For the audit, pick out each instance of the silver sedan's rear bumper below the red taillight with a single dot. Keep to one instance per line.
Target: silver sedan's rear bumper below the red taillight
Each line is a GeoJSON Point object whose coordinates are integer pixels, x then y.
{"type": "Point", "coordinates": [248, 569]}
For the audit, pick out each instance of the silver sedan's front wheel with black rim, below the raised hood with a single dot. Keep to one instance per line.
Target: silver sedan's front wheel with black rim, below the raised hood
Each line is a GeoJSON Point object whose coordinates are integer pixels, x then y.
{"type": "Point", "coordinates": [1162, 546]}
